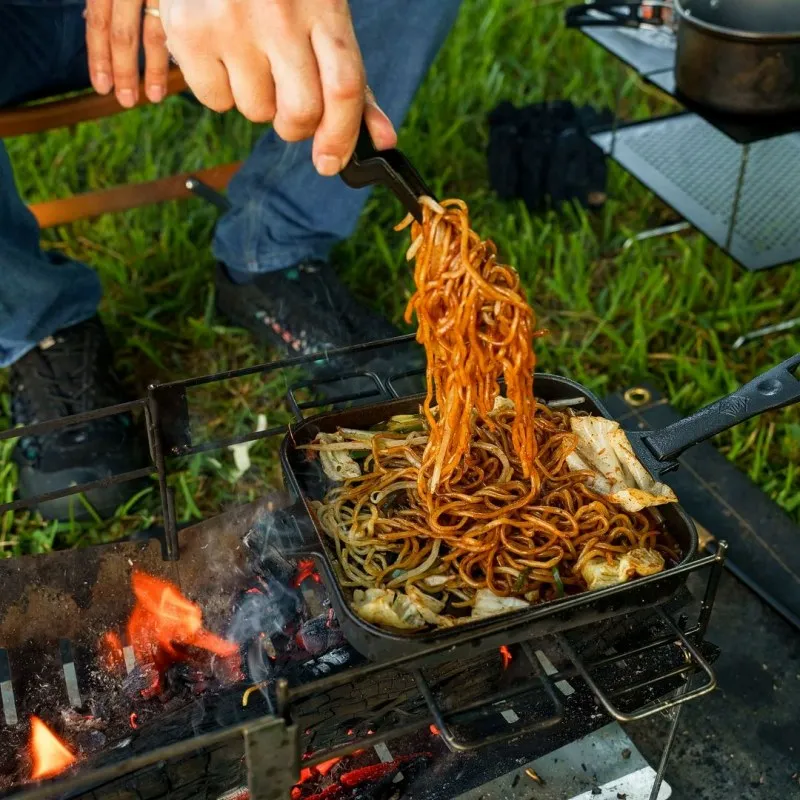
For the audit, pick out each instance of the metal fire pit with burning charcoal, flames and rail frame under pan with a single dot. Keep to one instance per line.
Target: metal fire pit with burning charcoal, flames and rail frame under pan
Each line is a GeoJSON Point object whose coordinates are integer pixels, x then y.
{"type": "Point", "coordinates": [207, 663]}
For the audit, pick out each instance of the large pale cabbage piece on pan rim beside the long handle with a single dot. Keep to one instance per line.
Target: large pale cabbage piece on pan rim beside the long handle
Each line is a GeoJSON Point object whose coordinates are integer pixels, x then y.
{"type": "Point", "coordinates": [604, 449]}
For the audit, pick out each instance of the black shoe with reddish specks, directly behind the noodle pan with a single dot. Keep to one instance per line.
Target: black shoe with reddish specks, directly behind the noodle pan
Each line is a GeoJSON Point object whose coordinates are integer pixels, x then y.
{"type": "Point", "coordinates": [307, 310]}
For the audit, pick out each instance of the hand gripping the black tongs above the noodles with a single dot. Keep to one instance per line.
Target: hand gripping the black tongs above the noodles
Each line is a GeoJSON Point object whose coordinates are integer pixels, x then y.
{"type": "Point", "coordinates": [295, 63]}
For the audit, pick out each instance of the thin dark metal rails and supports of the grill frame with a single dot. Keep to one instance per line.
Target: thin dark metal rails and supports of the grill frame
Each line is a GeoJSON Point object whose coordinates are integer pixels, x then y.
{"type": "Point", "coordinates": [274, 739]}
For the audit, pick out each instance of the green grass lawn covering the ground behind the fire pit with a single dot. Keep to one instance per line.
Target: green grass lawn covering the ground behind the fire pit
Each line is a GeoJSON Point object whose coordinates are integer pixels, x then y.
{"type": "Point", "coordinates": [666, 310]}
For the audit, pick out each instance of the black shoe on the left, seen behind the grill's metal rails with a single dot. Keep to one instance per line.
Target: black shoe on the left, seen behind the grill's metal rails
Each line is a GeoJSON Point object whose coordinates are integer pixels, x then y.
{"type": "Point", "coordinates": [70, 373]}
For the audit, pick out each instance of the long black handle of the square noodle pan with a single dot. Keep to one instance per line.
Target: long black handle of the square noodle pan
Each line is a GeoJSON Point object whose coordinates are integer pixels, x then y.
{"type": "Point", "coordinates": [776, 388]}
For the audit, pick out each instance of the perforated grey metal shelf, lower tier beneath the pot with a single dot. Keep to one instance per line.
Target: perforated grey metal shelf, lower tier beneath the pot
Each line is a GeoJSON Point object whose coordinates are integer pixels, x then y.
{"type": "Point", "coordinates": [696, 169]}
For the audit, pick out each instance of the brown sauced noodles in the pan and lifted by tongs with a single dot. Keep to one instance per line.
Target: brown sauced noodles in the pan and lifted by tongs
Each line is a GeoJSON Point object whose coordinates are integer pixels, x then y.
{"type": "Point", "coordinates": [475, 505]}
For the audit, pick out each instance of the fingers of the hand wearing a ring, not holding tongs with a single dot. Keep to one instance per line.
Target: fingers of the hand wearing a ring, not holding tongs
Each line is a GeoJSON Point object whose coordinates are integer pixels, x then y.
{"type": "Point", "coordinates": [114, 29]}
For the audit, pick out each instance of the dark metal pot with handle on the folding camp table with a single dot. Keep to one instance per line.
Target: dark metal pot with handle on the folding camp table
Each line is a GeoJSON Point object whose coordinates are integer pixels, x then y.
{"type": "Point", "coordinates": [734, 56]}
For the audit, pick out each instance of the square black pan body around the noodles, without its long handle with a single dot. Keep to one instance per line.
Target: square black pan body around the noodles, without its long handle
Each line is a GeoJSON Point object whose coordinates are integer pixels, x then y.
{"type": "Point", "coordinates": [306, 481]}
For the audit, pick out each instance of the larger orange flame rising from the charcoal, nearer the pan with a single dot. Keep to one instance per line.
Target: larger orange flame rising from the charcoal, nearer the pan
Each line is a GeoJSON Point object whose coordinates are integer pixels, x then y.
{"type": "Point", "coordinates": [164, 622]}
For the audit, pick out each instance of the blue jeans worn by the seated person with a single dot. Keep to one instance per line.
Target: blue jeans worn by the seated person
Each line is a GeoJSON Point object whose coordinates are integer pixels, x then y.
{"type": "Point", "coordinates": [282, 212]}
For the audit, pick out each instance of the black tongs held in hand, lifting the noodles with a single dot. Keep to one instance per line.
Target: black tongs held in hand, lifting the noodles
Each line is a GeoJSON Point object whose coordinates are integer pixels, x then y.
{"type": "Point", "coordinates": [390, 168]}
